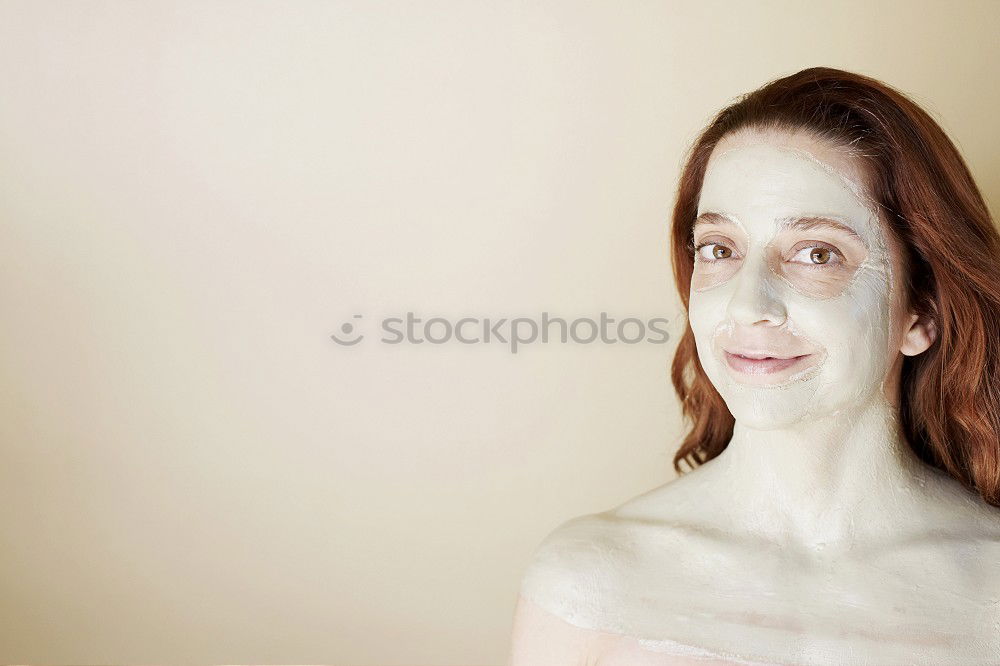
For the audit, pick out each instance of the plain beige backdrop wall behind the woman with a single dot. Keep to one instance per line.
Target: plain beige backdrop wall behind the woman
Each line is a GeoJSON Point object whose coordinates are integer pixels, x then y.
{"type": "Point", "coordinates": [196, 195]}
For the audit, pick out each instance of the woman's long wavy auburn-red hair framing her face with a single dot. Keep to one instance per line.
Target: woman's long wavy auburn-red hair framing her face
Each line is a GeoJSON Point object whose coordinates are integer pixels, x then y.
{"type": "Point", "coordinates": [949, 394]}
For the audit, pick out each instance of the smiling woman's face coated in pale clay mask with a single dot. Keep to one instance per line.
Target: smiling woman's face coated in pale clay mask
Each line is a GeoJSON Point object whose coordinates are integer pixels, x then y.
{"type": "Point", "coordinates": [792, 264]}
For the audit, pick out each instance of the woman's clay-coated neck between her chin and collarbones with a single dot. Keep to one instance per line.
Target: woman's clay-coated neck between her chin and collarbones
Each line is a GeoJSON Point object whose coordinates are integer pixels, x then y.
{"type": "Point", "coordinates": [826, 484]}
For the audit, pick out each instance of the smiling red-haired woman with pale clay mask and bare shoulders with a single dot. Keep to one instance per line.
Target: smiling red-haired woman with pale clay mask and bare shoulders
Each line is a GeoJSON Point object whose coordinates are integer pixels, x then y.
{"type": "Point", "coordinates": [841, 373]}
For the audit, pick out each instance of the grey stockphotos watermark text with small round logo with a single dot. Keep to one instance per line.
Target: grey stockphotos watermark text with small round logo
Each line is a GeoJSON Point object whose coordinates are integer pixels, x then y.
{"type": "Point", "coordinates": [514, 332]}
